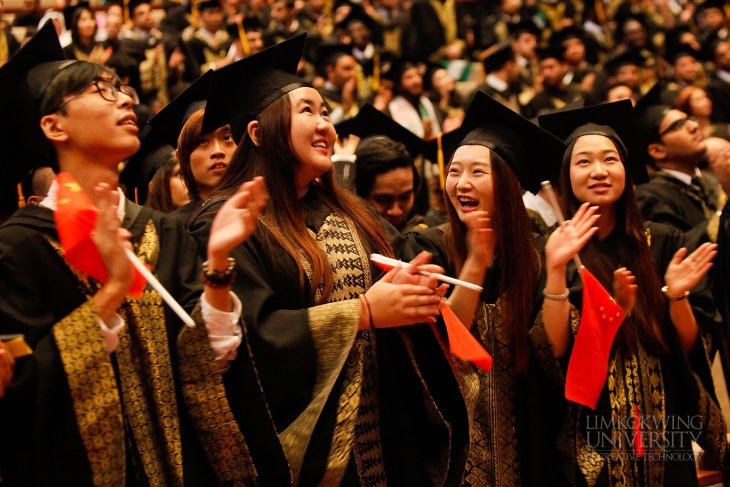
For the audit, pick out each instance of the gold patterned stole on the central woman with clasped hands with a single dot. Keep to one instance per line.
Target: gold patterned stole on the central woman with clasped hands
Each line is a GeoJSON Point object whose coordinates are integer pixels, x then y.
{"type": "Point", "coordinates": [339, 345]}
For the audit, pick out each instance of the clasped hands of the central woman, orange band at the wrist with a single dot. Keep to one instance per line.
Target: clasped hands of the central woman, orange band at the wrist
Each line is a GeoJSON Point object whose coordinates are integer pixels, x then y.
{"type": "Point", "coordinates": [394, 305]}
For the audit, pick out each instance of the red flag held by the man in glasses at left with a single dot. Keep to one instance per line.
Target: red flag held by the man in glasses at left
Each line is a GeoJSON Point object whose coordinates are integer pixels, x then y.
{"type": "Point", "coordinates": [75, 217]}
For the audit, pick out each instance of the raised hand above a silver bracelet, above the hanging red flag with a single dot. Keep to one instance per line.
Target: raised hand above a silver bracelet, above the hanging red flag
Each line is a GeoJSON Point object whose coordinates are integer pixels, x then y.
{"type": "Point", "coordinates": [571, 236]}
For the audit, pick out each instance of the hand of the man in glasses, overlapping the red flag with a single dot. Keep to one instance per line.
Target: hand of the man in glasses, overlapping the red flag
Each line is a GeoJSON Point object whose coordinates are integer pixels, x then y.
{"type": "Point", "coordinates": [111, 239]}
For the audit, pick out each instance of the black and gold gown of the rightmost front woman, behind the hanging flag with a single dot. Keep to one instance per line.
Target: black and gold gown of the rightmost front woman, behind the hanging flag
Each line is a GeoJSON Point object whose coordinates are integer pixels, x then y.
{"type": "Point", "coordinates": [673, 386]}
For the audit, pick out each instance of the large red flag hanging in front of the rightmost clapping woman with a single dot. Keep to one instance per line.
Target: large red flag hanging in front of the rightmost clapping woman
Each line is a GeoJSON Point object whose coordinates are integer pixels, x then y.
{"type": "Point", "coordinates": [599, 322]}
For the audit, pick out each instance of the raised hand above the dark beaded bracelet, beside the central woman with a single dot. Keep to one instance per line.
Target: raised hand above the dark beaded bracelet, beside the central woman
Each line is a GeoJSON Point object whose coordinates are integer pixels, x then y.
{"type": "Point", "coordinates": [236, 221]}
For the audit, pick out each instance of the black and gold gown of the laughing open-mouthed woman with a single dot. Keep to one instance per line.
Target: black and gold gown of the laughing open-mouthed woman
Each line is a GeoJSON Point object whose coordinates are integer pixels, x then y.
{"type": "Point", "coordinates": [515, 421]}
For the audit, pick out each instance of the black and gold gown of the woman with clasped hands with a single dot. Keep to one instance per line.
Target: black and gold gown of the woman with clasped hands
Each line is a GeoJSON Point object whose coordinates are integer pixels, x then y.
{"type": "Point", "coordinates": [395, 438]}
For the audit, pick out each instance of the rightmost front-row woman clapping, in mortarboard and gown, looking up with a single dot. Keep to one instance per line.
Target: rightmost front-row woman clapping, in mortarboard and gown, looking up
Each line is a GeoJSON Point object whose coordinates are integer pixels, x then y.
{"type": "Point", "coordinates": [657, 369]}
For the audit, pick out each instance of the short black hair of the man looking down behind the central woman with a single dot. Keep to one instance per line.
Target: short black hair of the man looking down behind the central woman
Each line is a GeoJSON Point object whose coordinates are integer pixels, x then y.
{"type": "Point", "coordinates": [378, 155]}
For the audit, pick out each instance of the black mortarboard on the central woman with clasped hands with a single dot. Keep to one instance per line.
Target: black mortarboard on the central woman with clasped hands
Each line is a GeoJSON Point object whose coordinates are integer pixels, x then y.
{"type": "Point", "coordinates": [240, 91]}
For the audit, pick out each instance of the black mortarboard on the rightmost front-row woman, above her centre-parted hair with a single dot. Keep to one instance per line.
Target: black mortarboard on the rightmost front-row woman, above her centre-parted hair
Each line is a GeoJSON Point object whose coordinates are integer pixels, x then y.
{"type": "Point", "coordinates": [613, 120]}
